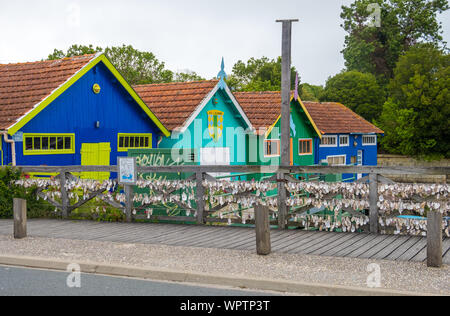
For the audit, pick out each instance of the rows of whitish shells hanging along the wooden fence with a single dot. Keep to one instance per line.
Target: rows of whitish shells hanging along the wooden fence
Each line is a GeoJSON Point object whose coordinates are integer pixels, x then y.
{"type": "Point", "coordinates": [394, 199]}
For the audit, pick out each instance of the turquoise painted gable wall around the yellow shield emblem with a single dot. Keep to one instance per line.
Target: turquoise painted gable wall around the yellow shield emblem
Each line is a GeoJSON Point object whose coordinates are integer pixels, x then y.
{"type": "Point", "coordinates": [197, 135]}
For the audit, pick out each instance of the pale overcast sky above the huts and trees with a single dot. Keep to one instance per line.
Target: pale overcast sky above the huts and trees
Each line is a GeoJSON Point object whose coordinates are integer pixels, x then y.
{"type": "Point", "coordinates": [185, 34]}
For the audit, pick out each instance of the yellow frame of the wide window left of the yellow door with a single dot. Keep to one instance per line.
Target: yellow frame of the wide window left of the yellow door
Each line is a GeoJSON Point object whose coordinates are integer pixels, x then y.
{"type": "Point", "coordinates": [48, 151]}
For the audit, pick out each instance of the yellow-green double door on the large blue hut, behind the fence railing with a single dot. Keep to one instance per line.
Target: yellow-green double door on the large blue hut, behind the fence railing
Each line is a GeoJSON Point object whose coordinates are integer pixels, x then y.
{"type": "Point", "coordinates": [95, 155]}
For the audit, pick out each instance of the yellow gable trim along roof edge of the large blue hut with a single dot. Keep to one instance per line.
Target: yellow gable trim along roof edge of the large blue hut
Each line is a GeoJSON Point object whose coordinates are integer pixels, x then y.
{"type": "Point", "coordinates": [55, 94]}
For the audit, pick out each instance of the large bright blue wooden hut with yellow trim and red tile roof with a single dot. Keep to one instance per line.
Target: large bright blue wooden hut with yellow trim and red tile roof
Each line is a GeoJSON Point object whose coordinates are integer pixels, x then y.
{"type": "Point", "coordinates": [73, 111]}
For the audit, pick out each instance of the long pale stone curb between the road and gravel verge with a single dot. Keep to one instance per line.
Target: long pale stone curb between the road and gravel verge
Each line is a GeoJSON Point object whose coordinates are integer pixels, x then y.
{"type": "Point", "coordinates": [206, 279]}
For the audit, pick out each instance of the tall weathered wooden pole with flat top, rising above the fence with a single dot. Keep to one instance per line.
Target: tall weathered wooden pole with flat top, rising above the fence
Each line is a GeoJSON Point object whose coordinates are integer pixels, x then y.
{"type": "Point", "coordinates": [286, 48]}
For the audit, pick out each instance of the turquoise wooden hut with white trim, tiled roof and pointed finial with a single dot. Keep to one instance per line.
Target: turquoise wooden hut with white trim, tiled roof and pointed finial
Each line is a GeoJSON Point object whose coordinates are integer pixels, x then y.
{"type": "Point", "coordinates": [203, 116]}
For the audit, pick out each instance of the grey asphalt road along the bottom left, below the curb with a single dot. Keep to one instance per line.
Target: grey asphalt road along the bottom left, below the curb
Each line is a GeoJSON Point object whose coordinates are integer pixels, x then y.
{"type": "Point", "coordinates": [33, 282]}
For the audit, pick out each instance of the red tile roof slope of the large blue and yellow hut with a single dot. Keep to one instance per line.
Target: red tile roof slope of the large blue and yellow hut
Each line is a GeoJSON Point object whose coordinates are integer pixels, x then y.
{"type": "Point", "coordinates": [24, 85]}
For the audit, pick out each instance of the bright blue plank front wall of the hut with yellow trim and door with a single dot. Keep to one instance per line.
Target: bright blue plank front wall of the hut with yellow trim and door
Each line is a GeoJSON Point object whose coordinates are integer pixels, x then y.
{"type": "Point", "coordinates": [77, 110]}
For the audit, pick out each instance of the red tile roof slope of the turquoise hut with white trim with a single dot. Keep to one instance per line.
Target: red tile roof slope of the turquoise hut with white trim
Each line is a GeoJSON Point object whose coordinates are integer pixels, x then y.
{"type": "Point", "coordinates": [173, 103]}
